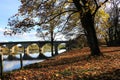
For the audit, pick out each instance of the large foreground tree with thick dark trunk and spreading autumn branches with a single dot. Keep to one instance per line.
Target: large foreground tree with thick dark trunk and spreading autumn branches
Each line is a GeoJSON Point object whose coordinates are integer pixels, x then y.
{"type": "Point", "coordinates": [71, 13]}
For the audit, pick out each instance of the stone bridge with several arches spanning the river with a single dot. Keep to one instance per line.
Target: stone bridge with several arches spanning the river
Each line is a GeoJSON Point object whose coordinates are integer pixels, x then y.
{"type": "Point", "coordinates": [25, 44]}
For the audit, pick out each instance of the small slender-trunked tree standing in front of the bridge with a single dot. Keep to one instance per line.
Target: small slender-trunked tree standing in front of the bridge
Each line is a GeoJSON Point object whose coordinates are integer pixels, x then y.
{"type": "Point", "coordinates": [49, 31]}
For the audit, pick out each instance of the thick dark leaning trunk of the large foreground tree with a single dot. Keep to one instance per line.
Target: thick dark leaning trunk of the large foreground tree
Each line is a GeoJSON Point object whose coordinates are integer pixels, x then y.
{"type": "Point", "coordinates": [87, 21]}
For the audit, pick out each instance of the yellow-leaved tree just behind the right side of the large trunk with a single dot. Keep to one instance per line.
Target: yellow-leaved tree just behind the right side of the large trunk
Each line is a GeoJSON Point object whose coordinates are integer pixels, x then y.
{"type": "Point", "coordinates": [102, 24]}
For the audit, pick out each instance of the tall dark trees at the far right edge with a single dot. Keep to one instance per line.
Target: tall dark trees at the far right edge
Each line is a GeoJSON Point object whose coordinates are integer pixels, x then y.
{"type": "Point", "coordinates": [114, 30]}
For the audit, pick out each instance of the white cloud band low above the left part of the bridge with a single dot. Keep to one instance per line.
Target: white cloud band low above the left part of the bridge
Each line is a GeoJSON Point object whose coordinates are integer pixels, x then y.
{"type": "Point", "coordinates": [18, 37]}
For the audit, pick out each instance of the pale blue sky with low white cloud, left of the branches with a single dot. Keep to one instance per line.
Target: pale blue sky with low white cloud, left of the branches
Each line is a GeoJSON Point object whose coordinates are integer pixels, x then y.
{"type": "Point", "coordinates": [7, 9]}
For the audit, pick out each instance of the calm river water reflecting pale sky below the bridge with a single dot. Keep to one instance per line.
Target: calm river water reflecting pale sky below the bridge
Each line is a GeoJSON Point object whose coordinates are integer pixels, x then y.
{"type": "Point", "coordinates": [12, 65]}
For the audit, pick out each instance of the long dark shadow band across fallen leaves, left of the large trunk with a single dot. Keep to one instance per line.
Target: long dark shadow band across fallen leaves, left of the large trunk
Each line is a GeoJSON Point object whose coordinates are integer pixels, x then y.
{"type": "Point", "coordinates": [56, 62]}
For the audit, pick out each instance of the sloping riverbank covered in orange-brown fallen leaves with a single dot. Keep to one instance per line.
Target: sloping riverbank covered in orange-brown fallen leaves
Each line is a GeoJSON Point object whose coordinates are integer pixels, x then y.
{"type": "Point", "coordinates": [73, 65]}
